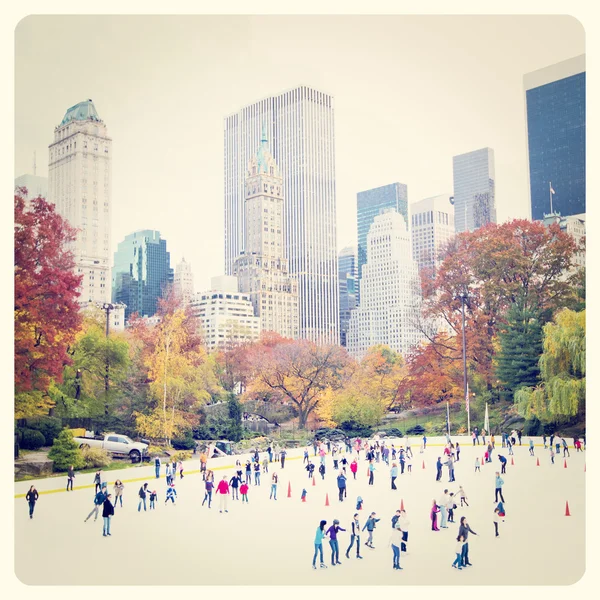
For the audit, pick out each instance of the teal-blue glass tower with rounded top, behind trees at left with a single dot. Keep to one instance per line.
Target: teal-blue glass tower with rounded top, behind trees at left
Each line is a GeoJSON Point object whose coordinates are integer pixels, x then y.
{"type": "Point", "coordinates": [141, 273]}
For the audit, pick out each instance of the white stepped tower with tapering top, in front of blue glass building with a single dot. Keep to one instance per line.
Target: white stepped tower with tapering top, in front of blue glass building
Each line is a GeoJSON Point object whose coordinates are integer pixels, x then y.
{"type": "Point", "coordinates": [390, 301]}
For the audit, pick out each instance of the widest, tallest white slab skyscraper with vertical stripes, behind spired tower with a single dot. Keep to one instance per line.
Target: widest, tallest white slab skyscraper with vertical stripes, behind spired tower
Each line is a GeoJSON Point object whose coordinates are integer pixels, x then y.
{"type": "Point", "coordinates": [299, 124]}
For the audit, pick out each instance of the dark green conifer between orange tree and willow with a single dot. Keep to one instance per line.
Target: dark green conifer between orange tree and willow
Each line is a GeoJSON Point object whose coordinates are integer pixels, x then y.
{"type": "Point", "coordinates": [520, 339]}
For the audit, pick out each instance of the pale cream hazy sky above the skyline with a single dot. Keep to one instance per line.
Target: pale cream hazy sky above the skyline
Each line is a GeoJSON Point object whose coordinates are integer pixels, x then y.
{"type": "Point", "coordinates": [410, 92]}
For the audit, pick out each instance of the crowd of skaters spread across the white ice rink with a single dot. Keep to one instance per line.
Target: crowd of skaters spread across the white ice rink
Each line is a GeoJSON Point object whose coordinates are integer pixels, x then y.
{"type": "Point", "coordinates": [374, 452]}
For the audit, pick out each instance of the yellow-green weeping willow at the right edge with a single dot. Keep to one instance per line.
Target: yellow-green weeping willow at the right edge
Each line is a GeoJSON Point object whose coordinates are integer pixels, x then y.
{"type": "Point", "coordinates": [562, 366]}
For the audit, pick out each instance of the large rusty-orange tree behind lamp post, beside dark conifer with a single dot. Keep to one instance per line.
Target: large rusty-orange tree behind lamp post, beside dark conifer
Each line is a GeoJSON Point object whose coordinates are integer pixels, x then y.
{"type": "Point", "coordinates": [493, 268]}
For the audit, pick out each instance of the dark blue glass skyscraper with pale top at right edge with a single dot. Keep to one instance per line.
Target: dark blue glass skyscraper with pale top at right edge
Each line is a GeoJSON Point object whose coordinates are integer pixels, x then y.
{"type": "Point", "coordinates": [555, 105]}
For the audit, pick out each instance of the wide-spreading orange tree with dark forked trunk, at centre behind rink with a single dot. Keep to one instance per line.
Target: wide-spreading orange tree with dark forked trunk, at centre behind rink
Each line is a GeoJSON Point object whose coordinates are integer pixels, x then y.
{"type": "Point", "coordinates": [297, 371]}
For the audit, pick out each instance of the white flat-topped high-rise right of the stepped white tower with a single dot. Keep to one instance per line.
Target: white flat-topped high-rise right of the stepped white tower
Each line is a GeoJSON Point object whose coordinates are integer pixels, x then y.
{"type": "Point", "coordinates": [432, 227]}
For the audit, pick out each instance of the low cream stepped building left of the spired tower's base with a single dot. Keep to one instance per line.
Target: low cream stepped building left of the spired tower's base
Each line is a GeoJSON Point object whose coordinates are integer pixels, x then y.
{"type": "Point", "coordinates": [225, 316]}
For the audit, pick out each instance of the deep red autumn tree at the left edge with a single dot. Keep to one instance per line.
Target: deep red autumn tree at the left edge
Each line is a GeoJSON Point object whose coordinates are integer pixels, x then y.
{"type": "Point", "coordinates": [46, 311]}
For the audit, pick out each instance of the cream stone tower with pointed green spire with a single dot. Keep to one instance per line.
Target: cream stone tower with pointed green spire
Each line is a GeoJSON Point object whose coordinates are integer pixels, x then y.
{"type": "Point", "coordinates": [262, 269]}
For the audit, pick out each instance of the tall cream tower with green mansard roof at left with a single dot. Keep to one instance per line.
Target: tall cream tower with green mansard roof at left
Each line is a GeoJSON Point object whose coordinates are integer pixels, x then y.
{"type": "Point", "coordinates": [79, 184]}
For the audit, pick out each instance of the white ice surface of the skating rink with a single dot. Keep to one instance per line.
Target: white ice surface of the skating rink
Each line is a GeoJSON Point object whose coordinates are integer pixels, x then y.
{"type": "Point", "coordinates": [268, 542]}
